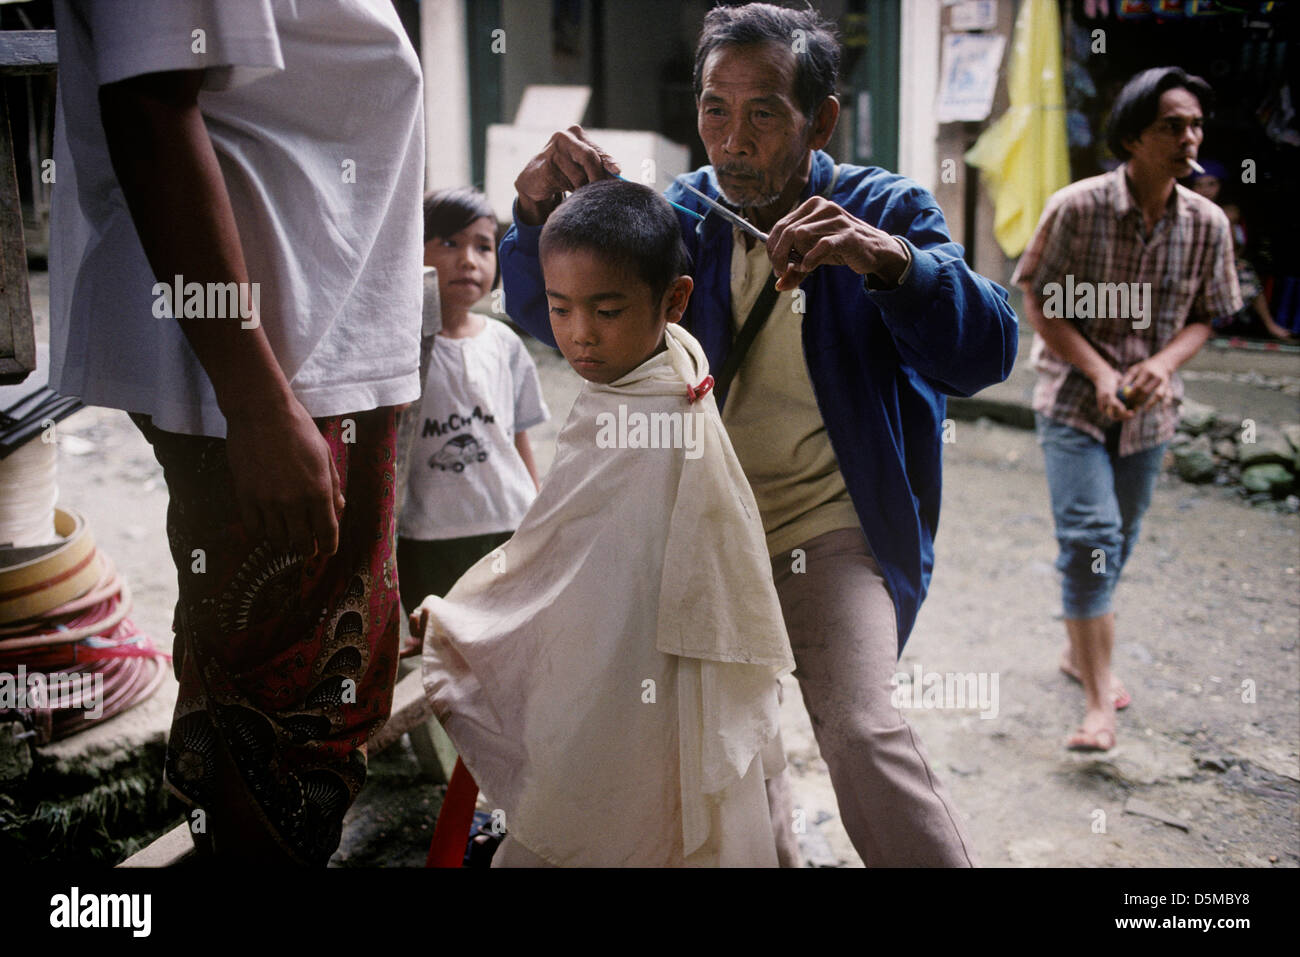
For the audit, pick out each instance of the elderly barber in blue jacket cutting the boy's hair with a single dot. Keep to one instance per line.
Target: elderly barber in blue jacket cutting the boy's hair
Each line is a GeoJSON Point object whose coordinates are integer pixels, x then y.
{"type": "Point", "coordinates": [844, 332]}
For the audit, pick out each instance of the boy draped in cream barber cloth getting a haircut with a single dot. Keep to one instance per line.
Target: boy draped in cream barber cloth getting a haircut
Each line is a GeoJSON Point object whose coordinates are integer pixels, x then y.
{"type": "Point", "coordinates": [610, 678]}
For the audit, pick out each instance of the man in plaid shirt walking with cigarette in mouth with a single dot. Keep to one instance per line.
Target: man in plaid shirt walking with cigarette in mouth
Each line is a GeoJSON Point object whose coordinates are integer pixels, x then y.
{"type": "Point", "coordinates": [1123, 280]}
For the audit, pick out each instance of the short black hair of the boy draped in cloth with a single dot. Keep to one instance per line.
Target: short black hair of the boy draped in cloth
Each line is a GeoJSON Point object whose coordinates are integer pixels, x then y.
{"type": "Point", "coordinates": [626, 224]}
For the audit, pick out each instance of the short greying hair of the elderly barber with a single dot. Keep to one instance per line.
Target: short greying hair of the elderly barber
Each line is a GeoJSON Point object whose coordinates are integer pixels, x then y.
{"type": "Point", "coordinates": [817, 59]}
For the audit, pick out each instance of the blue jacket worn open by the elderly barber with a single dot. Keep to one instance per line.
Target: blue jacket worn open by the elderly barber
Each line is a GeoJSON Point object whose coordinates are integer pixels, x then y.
{"type": "Point", "coordinates": [881, 362]}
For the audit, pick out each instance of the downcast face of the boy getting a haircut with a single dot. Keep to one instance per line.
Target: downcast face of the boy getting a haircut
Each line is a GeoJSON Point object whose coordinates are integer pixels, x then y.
{"type": "Point", "coordinates": [605, 321]}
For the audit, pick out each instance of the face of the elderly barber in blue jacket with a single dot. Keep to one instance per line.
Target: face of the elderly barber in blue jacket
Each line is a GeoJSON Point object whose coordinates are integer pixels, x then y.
{"type": "Point", "coordinates": [751, 123]}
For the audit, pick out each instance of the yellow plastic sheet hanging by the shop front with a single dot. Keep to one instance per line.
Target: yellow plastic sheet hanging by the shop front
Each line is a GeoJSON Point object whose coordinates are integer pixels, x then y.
{"type": "Point", "coordinates": [1024, 155]}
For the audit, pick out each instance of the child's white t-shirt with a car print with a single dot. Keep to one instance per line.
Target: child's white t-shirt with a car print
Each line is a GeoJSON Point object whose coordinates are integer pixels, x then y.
{"type": "Point", "coordinates": [467, 478]}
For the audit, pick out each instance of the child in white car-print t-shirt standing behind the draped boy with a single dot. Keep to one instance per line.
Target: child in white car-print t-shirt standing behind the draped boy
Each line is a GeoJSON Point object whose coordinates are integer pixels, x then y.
{"type": "Point", "coordinates": [473, 474]}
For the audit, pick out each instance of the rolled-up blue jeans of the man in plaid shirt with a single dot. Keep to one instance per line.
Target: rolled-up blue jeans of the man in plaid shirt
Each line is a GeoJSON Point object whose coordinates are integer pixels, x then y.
{"type": "Point", "coordinates": [1098, 501]}
